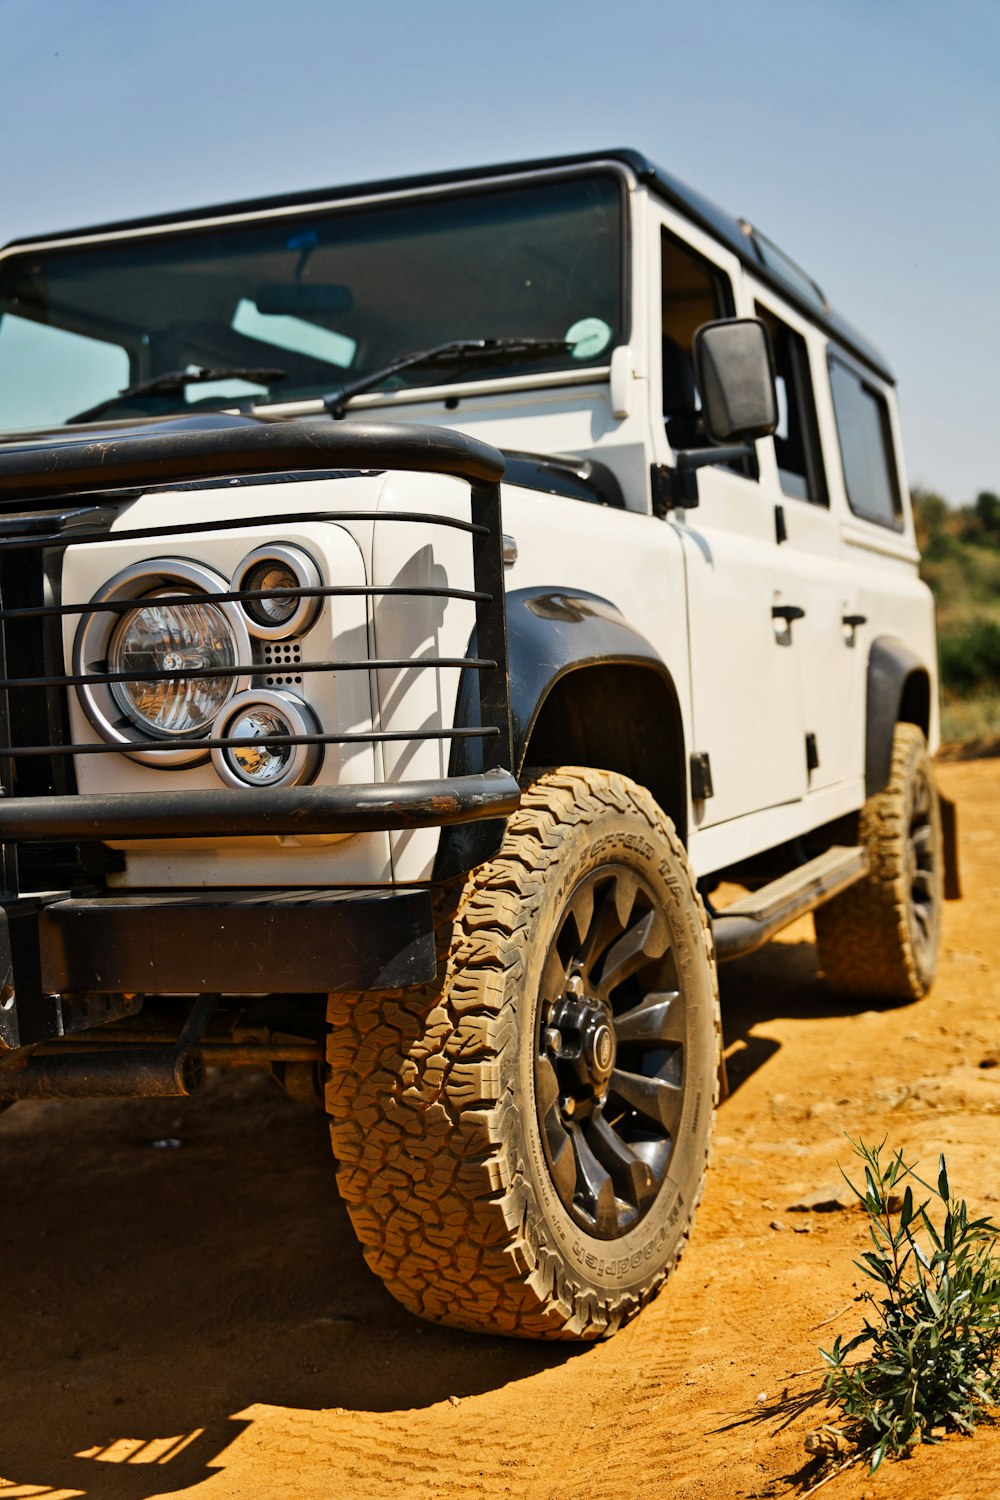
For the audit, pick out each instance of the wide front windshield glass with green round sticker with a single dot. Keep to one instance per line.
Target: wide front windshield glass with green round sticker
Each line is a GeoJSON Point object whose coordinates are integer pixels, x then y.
{"type": "Point", "coordinates": [326, 296]}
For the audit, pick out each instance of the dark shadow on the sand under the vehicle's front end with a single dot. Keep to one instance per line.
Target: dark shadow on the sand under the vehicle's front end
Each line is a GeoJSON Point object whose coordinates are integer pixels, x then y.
{"type": "Point", "coordinates": [155, 1292]}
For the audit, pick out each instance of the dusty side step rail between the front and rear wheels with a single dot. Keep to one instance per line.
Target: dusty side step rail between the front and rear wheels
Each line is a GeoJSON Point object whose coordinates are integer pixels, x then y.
{"type": "Point", "coordinates": [753, 920]}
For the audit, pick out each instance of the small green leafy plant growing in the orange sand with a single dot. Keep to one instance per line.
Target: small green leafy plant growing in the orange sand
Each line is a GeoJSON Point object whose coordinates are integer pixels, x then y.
{"type": "Point", "coordinates": [932, 1336]}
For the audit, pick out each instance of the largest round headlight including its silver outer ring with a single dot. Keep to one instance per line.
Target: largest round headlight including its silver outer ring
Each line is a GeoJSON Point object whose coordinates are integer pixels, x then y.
{"type": "Point", "coordinates": [157, 646]}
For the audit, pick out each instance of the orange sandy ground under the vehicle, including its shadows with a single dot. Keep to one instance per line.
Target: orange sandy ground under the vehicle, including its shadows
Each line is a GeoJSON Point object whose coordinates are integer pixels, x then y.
{"type": "Point", "coordinates": [199, 1318]}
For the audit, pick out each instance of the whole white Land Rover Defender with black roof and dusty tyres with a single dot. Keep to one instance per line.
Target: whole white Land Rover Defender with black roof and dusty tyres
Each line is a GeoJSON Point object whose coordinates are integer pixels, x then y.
{"type": "Point", "coordinates": [416, 599]}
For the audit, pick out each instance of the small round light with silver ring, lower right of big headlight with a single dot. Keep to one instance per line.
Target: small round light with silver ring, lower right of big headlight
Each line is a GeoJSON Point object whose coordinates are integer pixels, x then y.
{"type": "Point", "coordinates": [254, 757]}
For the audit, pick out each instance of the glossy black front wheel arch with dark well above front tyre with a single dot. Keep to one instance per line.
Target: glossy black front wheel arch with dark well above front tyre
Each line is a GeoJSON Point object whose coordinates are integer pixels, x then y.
{"type": "Point", "coordinates": [585, 689]}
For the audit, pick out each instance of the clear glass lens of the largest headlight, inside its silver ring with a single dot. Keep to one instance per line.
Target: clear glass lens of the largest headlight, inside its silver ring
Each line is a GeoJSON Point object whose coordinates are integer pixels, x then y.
{"type": "Point", "coordinates": [173, 638]}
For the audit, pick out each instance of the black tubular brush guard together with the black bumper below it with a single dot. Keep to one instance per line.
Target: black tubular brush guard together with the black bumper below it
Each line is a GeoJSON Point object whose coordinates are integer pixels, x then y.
{"type": "Point", "coordinates": [233, 941]}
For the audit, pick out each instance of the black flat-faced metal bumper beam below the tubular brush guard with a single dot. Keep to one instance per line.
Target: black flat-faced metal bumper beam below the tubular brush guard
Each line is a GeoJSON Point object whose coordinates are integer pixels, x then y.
{"type": "Point", "coordinates": [202, 943]}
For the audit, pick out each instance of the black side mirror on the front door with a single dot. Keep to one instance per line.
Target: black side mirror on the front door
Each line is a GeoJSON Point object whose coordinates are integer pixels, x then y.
{"type": "Point", "coordinates": [734, 368]}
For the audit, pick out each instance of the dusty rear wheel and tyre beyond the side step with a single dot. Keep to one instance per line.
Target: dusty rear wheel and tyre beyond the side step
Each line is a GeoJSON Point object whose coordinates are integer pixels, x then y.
{"type": "Point", "coordinates": [881, 938]}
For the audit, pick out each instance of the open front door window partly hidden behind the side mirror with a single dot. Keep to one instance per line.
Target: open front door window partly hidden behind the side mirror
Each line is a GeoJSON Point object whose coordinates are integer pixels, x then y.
{"type": "Point", "coordinates": [693, 292]}
